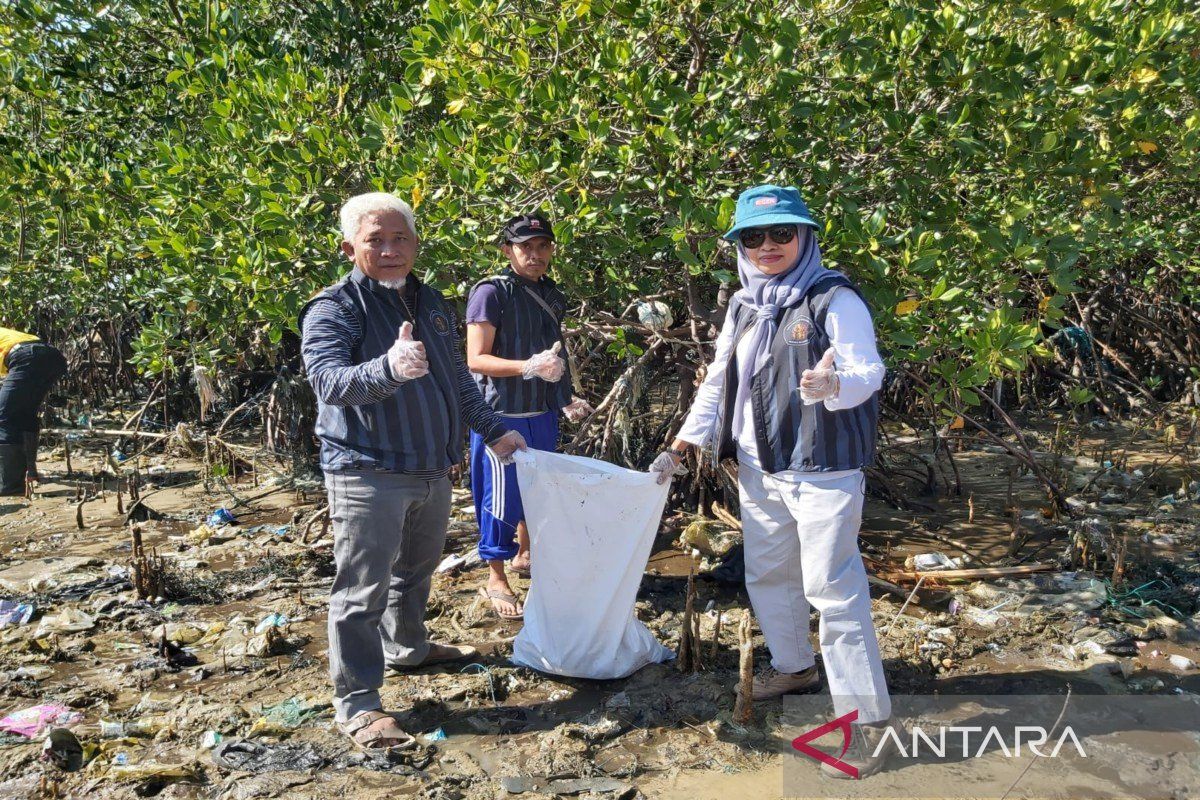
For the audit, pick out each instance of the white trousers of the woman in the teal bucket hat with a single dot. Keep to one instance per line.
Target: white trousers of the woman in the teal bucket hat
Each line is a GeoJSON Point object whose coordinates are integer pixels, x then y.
{"type": "Point", "coordinates": [801, 550]}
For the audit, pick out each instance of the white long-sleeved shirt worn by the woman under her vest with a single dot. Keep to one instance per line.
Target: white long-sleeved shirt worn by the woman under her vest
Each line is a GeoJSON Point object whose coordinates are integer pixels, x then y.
{"type": "Point", "coordinates": [857, 363]}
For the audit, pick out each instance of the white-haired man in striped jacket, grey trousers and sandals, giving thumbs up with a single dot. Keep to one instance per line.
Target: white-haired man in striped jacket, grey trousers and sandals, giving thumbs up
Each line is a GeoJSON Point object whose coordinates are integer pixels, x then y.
{"type": "Point", "coordinates": [394, 395]}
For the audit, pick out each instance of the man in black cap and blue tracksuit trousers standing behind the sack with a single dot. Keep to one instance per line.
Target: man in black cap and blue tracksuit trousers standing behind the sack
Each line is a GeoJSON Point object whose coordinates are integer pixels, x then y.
{"type": "Point", "coordinates": [517, 352]}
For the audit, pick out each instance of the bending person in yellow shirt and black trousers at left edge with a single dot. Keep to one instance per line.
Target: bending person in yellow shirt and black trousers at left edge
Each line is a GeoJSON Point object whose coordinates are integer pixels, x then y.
{"type": "Point", "coordinates": [29, 369]}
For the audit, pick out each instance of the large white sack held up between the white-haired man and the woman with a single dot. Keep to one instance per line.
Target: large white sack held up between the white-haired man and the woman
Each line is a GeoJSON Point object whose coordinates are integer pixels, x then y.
{"type": "Point", "coordinates": [592, 526]}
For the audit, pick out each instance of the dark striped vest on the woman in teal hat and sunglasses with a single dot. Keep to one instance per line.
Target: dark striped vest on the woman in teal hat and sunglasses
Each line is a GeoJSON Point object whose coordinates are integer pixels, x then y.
{"type": "Point", "coordinates": [790, 435]}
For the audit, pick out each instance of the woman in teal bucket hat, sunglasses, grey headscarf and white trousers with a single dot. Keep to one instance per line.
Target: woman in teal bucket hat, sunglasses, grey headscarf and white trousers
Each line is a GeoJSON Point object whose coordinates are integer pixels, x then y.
{"type": "Point", "coordinates": [793, 394]}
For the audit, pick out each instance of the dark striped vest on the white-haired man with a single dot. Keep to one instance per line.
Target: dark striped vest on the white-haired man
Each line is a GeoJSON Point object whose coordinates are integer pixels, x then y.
{"type": "Point", "coordinates": [417, 430]}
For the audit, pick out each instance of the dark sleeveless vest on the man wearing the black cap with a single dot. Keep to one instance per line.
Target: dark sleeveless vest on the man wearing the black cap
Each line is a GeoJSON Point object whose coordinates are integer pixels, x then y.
{"type": "Point", "coordinates": [526, 329]}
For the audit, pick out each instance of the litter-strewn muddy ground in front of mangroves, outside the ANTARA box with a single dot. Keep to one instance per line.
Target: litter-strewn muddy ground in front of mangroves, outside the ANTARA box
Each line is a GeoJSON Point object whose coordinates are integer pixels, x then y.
{"type": "Point", "coordinates": [206, 661]}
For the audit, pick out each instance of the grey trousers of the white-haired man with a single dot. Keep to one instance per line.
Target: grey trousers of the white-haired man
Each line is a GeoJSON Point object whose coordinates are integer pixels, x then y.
{"type": "Point", "coordinates": [389, 531]}
